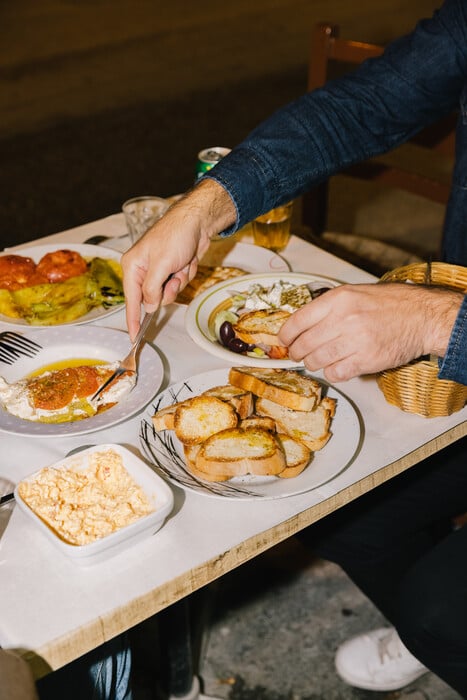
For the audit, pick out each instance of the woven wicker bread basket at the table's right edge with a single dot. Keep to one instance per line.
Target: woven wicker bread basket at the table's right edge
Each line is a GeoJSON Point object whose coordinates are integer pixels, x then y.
{"type": "Point", "coordinates": [415, 387]}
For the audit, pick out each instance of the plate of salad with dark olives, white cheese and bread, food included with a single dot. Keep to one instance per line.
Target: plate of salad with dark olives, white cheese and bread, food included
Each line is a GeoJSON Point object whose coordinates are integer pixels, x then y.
{"type": "Point", "coordinates": [239, 319]}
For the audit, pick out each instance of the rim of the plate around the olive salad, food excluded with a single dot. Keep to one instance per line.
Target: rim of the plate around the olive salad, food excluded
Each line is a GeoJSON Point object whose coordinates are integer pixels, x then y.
{"type": "Point", "coordinates": [200, 309]}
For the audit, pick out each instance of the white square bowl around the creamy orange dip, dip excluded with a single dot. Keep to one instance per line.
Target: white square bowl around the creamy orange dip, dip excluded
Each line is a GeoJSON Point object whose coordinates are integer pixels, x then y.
{"type": "Point", "coordinates": [155, 488]}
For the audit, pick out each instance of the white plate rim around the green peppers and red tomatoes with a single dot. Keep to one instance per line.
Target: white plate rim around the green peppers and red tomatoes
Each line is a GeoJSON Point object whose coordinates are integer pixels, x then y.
{"type": "Point", "coordinates": [36, 252]}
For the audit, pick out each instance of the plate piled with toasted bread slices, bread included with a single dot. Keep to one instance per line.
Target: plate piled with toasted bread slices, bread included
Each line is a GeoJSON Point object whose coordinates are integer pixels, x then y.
{"type": "Point", "coordinates": [251, 432]}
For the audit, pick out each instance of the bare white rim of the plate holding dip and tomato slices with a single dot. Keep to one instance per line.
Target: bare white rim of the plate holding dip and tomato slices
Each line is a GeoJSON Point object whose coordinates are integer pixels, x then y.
{"type": "Point", "coordinates": [84, 342]}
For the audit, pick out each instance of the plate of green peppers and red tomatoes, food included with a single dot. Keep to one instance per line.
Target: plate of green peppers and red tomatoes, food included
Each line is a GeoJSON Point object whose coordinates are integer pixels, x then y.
{"type": "Point", "coordinates": [48, 285]}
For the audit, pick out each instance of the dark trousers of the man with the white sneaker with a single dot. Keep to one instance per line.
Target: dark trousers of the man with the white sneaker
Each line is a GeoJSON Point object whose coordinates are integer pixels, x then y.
{"type": "Point", "coordinates": [398, 545]}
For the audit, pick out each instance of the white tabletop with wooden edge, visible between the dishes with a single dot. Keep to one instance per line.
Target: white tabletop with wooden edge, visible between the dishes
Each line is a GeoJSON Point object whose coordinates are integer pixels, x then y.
{"type": "Point", "coordinates": [50, 609]}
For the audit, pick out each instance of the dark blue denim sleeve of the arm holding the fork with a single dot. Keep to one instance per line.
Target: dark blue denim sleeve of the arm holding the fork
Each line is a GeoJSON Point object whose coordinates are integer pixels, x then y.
{"type": "Point", "coordinates": [383, 103]}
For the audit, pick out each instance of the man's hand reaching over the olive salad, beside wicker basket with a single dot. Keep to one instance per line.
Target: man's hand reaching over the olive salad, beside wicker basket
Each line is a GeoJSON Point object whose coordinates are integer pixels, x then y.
{"type": "Point", "coordinates": [359, 329]}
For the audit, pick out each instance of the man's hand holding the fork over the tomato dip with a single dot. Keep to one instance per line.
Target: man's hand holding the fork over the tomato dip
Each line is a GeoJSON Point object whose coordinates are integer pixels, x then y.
{"type": "Point", "coordinates": [166, 258]}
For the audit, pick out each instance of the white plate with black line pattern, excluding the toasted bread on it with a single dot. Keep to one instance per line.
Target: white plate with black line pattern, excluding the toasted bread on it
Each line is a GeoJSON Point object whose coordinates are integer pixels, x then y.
{"type": "Point", "coordinates": [166, 451]}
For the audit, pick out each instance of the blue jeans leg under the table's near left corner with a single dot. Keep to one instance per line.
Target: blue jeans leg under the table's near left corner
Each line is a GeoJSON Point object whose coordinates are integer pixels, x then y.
{"type": "Point", "coordinates": [102, 674]}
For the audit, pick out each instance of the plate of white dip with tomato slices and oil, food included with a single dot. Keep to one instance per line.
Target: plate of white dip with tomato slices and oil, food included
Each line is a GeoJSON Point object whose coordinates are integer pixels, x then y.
{"type": "Point", "coordinates": [48, 395]}
